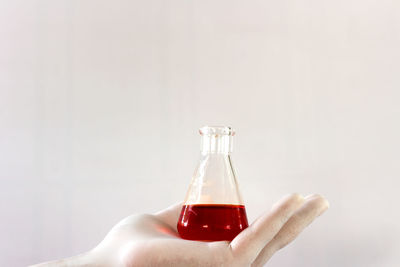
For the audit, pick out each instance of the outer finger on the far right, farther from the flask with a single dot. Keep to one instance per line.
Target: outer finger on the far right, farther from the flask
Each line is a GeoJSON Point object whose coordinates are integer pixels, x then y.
{"type": "Point", "coordinates": [314, 206]}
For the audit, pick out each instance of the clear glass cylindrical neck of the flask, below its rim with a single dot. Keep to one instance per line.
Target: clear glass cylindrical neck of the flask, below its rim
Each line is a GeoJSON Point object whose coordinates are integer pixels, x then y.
{"type": "Point", "coordinates": [216, 144]}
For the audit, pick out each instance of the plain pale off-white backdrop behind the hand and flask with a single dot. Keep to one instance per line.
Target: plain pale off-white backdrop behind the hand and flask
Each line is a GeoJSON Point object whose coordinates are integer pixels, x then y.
{"type": "Point", "coordinates": [100, 102]}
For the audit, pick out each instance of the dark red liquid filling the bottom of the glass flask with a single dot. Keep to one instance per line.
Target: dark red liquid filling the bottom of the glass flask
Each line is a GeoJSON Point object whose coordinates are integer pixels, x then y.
{"type": "Point", "coordinates": [211, 222]}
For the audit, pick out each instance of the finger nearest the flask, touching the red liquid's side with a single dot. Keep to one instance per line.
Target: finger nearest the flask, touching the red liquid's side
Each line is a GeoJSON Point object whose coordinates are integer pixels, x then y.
{"type": "Point", "coordinates": [248, 244]}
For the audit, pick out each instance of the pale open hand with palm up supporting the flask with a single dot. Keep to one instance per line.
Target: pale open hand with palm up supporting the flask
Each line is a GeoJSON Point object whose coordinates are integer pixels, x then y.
{"type": "Point", "coordinates": [152, 240]}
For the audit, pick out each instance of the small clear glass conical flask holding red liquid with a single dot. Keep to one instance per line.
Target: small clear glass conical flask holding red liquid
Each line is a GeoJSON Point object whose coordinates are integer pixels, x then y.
{"type": "Point", "coordinates": [213, 209]}
